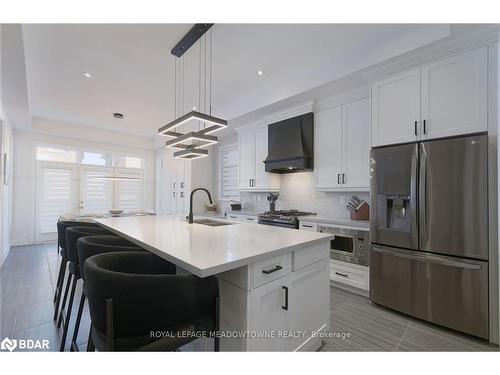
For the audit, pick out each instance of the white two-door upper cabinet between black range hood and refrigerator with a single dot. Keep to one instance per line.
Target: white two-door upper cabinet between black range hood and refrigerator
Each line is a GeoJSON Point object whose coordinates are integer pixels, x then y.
{"type": "Point", "coordinates": [342, 147]}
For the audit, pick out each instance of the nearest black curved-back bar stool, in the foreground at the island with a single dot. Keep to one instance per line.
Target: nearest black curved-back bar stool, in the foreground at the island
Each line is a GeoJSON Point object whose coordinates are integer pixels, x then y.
{"type": "Point", "coordinates": [133, 294]}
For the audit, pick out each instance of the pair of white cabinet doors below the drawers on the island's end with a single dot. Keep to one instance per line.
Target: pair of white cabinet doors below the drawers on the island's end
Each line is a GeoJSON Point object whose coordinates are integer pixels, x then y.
{"type": "Point", "coordinates": [287, 314]}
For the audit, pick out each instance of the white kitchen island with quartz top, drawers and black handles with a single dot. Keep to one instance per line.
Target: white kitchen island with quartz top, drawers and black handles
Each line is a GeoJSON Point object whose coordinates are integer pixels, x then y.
{"type": "Point", "coordinates": [273, 282]}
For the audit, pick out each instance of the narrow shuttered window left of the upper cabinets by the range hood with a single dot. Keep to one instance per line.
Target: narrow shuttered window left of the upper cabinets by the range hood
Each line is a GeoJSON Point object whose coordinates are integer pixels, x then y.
{"type": "Point", "coordinates": [228, 173]}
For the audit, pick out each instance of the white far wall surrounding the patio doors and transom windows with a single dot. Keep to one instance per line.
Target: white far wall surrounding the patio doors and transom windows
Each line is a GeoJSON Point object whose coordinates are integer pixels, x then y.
{"type": "Point", "coordinates": [46, 131]}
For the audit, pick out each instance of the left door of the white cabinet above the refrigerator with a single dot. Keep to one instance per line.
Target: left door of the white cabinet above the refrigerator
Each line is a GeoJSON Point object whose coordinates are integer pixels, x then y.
{"type": "Point", "coordinates": [395, 108]}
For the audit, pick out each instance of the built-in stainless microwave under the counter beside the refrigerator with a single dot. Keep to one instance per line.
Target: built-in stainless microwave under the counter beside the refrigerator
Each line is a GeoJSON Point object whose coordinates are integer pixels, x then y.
{"type": "Point", "coordinates": [348, 245]}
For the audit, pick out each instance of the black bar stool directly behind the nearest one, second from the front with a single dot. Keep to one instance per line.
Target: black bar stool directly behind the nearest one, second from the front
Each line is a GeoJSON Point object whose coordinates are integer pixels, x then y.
{"type": "Point", "coordinates": [89, 246]}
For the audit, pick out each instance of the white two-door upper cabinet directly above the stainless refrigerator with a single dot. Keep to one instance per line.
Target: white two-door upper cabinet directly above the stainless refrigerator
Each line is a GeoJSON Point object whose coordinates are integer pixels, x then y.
{"type": "Point", "coordinates": [445, 98]}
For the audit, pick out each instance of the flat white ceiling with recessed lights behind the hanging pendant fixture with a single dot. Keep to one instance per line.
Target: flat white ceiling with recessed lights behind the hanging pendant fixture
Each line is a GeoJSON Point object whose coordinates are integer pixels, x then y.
{"type": "Point", "coordinates": [133, 69]}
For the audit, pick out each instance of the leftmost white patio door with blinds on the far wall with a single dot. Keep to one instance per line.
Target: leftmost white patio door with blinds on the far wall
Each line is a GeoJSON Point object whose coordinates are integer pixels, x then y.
{"type": "Point", "coordinates": [56, 194]}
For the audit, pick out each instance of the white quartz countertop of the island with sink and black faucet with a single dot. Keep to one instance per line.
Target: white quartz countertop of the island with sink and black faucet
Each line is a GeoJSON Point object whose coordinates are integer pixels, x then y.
{"type": "Point", "coordinates": [204, 250]}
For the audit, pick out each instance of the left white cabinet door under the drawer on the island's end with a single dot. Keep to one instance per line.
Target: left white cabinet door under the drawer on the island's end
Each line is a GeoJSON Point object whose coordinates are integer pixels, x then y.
{"type": "Point", "coordinates": [268, 316]}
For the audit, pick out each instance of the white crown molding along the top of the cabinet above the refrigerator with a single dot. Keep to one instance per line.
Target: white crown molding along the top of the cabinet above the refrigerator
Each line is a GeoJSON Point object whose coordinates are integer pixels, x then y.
{"type": "Point", "coordinates": [432, 52]}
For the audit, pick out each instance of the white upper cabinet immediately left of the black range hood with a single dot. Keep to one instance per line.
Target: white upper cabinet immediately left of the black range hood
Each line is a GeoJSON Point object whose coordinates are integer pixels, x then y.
{"type": "Point", "coordinates": [252, 145]}
